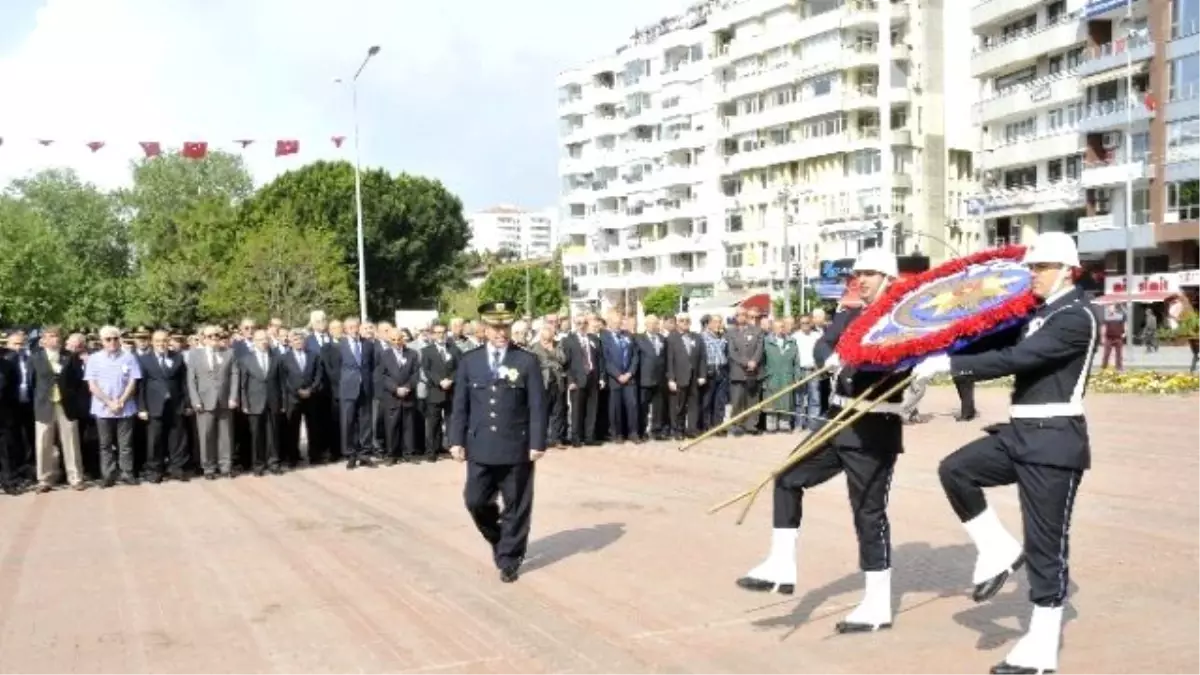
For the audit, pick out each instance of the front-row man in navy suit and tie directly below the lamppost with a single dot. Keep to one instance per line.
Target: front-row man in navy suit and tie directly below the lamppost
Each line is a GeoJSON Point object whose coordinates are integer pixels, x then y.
{"type": "Point", "coordinates": [356, 384]}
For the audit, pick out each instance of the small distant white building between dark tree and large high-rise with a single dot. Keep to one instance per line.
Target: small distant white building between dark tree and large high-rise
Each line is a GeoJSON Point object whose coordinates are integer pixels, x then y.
{"type": "Point", "coordinates": [515, 232]}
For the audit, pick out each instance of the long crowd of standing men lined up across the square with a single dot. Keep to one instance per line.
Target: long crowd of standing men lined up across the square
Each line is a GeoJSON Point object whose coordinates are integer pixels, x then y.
{"type": "Point", "coordinates": [154, 405]}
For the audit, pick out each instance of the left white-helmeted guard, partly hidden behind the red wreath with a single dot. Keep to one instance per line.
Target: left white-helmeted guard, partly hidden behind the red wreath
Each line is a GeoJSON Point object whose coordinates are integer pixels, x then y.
{"type": "Point", "coordinates": [866, 451]}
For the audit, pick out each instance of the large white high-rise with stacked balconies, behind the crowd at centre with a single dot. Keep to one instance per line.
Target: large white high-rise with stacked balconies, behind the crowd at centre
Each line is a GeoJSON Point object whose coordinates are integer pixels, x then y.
{"type": "Point", "coordinates": [687, 152]}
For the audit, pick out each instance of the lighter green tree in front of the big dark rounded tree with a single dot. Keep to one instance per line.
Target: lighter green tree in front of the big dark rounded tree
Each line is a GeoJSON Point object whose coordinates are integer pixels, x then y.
{"type": "Point", "coordinates": [281, 271]}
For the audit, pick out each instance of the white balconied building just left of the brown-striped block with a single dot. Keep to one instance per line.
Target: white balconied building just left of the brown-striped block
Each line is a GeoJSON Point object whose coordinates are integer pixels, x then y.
{"type": "Point", "coordinates": [1027, 59]}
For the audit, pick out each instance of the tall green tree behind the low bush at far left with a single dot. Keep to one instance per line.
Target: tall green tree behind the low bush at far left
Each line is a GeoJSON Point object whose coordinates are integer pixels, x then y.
{"type": "Point", "coordinates": [95, 241]}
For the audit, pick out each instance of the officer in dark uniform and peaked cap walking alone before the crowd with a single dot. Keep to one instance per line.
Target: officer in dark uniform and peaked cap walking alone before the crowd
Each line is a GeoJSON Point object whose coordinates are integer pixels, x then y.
{"type": "Point", "coordinates": [499, 428]}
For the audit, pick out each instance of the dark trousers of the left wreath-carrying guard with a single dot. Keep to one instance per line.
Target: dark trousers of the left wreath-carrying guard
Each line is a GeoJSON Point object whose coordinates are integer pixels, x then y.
{"type": "Point", "coordinates": [868, 480]}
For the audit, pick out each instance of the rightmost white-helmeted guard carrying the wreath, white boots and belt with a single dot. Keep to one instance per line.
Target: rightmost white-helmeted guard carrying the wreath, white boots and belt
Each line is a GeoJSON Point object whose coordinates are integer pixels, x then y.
{"type": "Point", "coordinates": [1043, 449]}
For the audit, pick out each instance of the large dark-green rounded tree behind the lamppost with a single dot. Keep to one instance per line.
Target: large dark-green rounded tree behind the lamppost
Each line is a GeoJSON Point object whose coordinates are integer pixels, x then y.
{"type": "Point", "coordinates": [413, 228]}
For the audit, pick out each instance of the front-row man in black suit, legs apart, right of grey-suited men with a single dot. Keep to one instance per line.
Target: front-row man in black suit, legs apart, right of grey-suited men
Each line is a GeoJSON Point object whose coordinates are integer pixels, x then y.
{"type": "Point", "coordinates": [302, 383]}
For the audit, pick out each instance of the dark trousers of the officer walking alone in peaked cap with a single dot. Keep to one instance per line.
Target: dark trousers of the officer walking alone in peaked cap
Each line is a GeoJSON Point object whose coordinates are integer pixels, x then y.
{"type": "Point", "coordinates": [508, 531]}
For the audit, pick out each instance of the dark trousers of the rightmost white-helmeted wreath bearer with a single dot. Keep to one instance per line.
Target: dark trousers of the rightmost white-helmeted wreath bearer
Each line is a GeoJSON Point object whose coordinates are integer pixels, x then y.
{"type": "Point", "coordinates": [1047, 495]}
